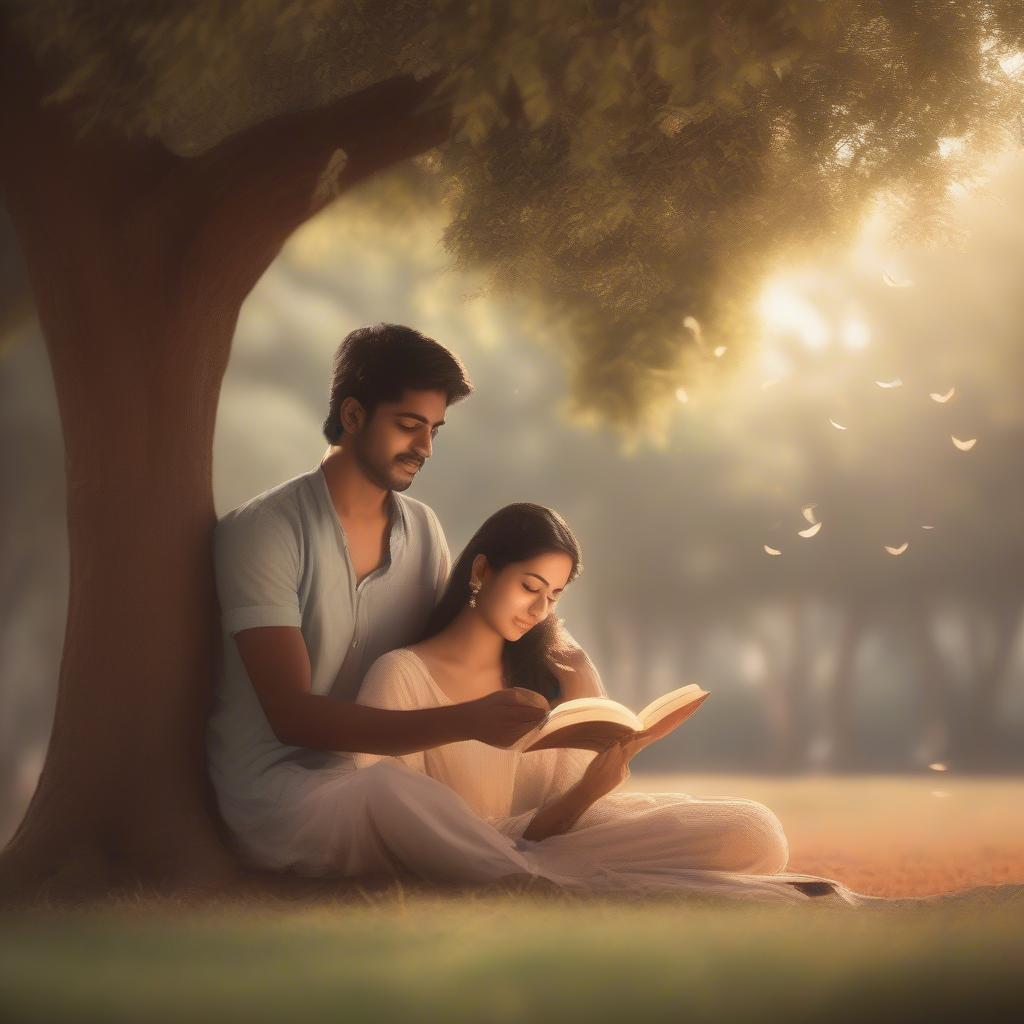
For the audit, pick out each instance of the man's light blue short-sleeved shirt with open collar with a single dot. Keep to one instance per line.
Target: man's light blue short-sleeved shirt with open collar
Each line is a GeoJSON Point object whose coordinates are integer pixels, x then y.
{"type": "Point", "coordinates": [282, 560]}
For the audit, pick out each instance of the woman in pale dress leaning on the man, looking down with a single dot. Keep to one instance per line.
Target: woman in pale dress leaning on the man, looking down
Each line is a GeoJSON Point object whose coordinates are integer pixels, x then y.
{"type": "Point", "coordinates": [467, 812]}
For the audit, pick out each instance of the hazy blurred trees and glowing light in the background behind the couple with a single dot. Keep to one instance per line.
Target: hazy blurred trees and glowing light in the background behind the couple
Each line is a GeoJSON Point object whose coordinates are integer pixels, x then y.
{"type": "Point", "coordinates": [833, 656]}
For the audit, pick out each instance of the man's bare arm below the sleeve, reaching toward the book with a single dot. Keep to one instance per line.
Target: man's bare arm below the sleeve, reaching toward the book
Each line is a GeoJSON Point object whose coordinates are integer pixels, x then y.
{"type": "Point", "coordinates": [278, 665]}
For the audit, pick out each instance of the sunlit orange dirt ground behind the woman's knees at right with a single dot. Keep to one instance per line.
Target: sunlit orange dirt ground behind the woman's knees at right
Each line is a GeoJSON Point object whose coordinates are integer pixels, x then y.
{"type": "Point", "coordinates": [885, 835]}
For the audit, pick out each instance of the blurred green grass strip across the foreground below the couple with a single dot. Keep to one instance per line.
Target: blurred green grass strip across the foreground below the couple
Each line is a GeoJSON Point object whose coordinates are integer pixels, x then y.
{"type": "Point", "coordinates": [402, 956]}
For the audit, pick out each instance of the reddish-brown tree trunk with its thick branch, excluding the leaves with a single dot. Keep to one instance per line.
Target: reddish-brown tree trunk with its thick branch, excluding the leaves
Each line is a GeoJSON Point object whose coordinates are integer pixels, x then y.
{"type": "Point", "coordinates": [132, 255]}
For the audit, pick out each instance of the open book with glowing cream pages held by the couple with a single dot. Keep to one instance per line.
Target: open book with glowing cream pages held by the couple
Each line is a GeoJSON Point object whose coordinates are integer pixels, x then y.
{"type": "Point", "coordinates": [594, 723]}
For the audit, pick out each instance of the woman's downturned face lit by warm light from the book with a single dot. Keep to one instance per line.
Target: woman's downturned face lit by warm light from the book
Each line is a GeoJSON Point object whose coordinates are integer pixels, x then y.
{"type": "Point", "coordinates": [517, 599]}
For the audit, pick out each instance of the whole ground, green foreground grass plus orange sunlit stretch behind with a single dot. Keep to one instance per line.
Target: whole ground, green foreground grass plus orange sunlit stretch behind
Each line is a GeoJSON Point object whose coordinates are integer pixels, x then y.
{"type": "Point", "coordinates": [413, 954]}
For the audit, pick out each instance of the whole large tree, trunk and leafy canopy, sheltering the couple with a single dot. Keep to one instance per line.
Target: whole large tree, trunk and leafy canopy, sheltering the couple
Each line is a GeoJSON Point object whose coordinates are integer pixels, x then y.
{"type": "Point", "coordinates": [628, 164]}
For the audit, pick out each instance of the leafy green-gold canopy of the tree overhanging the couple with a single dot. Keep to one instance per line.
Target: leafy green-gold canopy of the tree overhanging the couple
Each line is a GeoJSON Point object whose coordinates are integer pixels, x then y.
{"type": "Point", "coordinates": [628, 163]}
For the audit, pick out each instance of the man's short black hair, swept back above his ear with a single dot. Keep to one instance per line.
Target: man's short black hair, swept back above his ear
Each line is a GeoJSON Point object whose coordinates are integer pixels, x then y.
{"type": "Point", "coordinates": [377, 364]}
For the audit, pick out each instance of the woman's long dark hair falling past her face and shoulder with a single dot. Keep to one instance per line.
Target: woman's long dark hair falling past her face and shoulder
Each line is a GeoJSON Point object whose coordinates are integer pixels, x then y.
{"type": "Point", "coordinates": [516, 534]}
